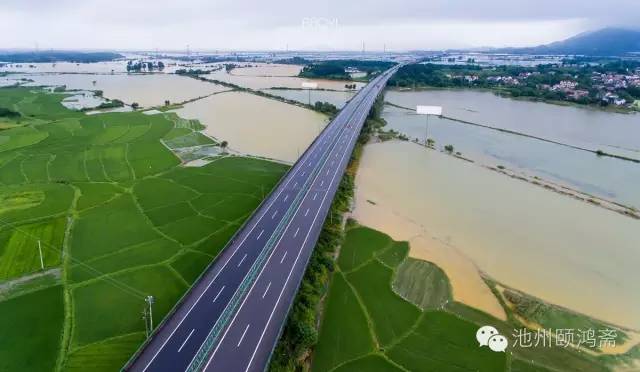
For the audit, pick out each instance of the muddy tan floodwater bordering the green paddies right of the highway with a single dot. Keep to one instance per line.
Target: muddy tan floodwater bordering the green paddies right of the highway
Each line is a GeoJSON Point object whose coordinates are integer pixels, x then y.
{"type": "Point", "coordinates": [460, 216]}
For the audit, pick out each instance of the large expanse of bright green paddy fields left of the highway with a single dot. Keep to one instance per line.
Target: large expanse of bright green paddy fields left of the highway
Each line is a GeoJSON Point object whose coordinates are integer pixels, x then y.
{"type": "Point", "coordinates": [118, 218]}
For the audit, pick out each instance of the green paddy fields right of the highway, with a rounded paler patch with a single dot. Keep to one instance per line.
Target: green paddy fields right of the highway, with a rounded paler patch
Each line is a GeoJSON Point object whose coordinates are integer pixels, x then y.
{"type": "Point", "coordinates": [387, 312]}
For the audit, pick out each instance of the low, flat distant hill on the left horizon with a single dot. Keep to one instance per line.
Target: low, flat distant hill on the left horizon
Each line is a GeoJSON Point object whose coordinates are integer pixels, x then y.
{"type": "Point", "coordinates": [57, 56]}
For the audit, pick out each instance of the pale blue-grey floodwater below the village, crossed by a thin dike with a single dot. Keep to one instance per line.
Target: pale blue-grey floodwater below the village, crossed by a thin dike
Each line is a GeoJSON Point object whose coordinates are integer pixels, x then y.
{"type": "Point", "coordinates": [605, 177]}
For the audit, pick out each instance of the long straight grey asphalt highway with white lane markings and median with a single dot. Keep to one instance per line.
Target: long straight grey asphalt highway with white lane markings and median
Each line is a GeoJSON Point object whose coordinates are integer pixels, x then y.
{"type": "Point", "coordinates": [232, 317]}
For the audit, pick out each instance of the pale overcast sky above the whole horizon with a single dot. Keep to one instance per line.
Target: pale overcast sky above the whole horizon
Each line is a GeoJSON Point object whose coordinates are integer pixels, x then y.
{"type": "Point", "coordinates": [302, 25]}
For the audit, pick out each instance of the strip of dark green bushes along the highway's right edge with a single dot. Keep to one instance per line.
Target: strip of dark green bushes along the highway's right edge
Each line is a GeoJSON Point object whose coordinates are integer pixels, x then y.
{"type": "Point", "coordinates": [300, 333]}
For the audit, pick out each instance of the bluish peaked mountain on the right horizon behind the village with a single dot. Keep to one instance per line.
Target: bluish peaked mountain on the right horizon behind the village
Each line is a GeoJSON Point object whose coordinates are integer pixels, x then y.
{"type": "Point", "coordinates": [604, 42]}
